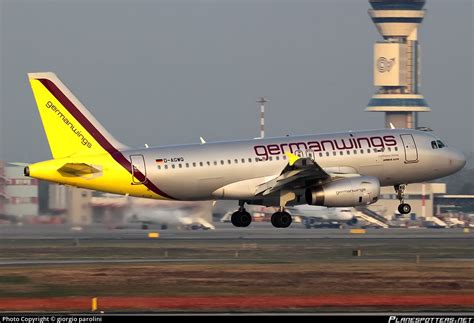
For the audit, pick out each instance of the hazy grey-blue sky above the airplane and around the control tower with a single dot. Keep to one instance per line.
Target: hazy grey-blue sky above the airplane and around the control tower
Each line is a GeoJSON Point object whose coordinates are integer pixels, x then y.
{"type": "Point", "coordinates": [168, 72]}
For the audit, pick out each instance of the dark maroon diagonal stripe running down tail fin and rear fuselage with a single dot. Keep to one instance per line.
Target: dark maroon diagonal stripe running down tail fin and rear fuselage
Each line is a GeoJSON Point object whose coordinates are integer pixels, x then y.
{"type": "Point", "coordinates": [116, 154]}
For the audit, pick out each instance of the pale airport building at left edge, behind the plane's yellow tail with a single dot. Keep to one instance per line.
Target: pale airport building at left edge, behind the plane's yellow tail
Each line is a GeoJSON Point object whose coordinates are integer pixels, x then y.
{"type": "Point", "coordinates": [18, 194]}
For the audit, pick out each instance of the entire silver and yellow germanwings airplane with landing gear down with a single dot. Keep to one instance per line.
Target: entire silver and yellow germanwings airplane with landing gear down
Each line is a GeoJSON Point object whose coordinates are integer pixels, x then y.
{"type": "Point", "coordinates": [343, 169]}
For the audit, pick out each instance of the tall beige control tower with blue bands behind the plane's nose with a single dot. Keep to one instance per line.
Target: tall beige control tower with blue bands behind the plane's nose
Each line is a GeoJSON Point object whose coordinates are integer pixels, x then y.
{"type": "Point", "coordinates": [397, 62]}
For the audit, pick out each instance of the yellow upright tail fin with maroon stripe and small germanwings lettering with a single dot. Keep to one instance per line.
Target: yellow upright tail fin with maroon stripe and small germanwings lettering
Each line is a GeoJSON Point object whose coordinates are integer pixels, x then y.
{"type": "Point", "coordinates": [69, 126]}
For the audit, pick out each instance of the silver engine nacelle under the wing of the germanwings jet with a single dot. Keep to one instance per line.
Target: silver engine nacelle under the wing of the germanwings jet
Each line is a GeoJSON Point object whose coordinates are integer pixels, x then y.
{"type": "Point", "coordinates": [347, 192]}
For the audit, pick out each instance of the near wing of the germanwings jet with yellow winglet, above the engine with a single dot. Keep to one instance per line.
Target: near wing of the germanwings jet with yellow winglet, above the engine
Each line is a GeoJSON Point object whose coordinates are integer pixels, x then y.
{"type": "Point", "coordinates": [301, 172]}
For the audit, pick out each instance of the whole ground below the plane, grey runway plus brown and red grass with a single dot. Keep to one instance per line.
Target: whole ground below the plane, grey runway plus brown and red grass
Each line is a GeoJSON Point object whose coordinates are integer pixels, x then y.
{"type": "Point", "coordinates": [59, 267]}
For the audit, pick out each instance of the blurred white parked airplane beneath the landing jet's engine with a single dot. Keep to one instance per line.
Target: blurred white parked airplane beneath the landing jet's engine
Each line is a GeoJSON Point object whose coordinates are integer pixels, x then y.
{"type": "Point", "coordinates": [320, 216]}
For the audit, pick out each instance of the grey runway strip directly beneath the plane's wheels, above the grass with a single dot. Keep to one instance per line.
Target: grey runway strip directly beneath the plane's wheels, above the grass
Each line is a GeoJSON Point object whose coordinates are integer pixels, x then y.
{"type": "Point", "coordinates": [223, 231]}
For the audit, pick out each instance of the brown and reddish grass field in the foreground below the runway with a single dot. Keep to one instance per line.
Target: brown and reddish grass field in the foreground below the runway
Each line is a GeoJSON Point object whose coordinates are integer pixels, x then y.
{"type": "Point", "coordinates": [390, 269]}
